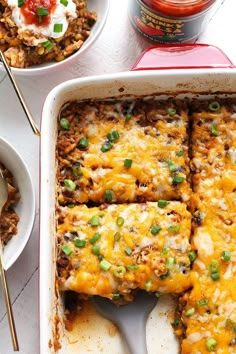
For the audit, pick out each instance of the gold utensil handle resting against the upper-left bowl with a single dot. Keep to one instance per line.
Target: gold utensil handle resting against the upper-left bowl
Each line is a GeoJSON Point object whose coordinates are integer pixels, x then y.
{"type": "Point", "coordinates": [19, 95]}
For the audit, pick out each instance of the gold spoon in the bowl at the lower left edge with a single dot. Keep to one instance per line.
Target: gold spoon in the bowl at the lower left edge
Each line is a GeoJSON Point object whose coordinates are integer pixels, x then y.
{"type": "Point", "coordinates": [3, 200]}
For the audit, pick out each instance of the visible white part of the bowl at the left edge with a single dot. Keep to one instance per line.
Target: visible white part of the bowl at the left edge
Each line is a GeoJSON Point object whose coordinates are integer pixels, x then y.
{"type": "Point", "coordinates": [25, 208]}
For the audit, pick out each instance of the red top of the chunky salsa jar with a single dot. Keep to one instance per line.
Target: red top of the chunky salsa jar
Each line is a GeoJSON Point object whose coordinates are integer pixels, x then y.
{"type": "Point", "coordinates": [179, 8]}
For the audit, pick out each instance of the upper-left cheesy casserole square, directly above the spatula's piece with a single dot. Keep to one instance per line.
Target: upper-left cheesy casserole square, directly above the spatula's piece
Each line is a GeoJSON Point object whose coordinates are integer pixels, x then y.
{"type": "Point", "coordinates": [123, 151]}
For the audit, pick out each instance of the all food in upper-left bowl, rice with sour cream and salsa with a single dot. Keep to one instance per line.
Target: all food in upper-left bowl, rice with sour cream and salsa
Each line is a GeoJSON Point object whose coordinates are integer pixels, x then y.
{"type": "Point", "coordinates": [37, 32]}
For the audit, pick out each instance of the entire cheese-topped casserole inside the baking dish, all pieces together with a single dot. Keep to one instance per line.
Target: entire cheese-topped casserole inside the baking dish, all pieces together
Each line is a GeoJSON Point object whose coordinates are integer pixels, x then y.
{"type": "Point", "coordinates": [146, 199]}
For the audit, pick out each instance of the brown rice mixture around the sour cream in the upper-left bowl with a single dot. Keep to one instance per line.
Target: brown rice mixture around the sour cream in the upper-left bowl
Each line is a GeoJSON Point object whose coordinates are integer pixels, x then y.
{"type": "Point", "coordinates": [20, 49]}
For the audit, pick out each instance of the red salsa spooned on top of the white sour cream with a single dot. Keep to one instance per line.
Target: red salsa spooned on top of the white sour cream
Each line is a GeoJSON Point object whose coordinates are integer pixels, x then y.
{"type": "Point", "coordinates": [37, 12]}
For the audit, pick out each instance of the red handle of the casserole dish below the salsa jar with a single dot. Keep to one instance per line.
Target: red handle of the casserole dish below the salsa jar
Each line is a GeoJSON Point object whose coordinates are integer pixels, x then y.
{"type": "Point", "coordinates": [182, 56]}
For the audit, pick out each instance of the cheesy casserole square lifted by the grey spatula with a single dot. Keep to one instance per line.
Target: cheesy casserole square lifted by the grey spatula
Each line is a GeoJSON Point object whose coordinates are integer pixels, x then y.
{"type": "Point", "coordinates": [114, 249]}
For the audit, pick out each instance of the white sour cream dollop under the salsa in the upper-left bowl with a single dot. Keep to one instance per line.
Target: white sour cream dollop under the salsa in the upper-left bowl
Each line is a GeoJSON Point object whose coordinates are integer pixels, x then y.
{"type": "Point", "coordinates": [62, 13]}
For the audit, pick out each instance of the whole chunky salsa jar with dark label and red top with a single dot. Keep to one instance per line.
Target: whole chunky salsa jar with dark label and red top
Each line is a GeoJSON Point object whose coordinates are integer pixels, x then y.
{"type": "Point", "coordinates": [170, 21]}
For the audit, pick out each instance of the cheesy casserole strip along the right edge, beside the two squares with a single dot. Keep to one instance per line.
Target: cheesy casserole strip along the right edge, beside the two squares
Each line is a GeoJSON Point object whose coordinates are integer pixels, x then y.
{"type": "Point", "coordinates": [214, 199]}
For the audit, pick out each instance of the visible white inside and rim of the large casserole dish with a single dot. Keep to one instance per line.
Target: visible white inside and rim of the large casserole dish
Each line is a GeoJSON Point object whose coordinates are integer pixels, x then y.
{"type": "Point", "coordinates": [94, 334]}
